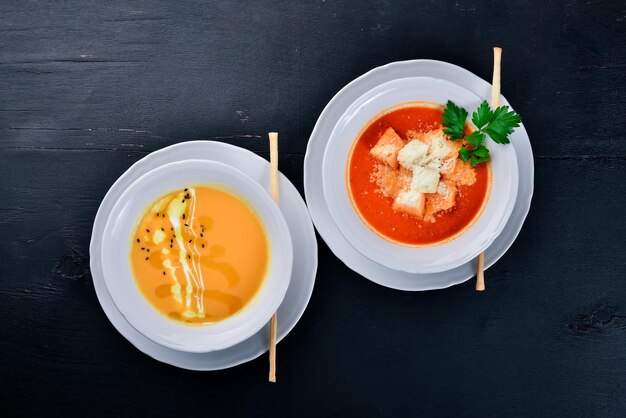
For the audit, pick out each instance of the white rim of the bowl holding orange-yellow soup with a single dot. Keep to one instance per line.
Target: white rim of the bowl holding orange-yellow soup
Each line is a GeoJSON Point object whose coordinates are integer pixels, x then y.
{"type": "Point", "coordinates": [116, 246]}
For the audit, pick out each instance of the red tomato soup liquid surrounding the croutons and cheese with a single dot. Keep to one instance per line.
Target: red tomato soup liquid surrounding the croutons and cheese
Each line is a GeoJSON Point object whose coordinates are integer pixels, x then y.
{"type": "Point", "coordinates": [377, 209]}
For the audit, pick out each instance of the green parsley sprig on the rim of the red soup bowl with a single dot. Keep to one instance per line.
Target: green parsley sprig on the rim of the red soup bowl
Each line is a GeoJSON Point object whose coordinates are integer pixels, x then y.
{"type": "Point", "coordinates": [497, 123]}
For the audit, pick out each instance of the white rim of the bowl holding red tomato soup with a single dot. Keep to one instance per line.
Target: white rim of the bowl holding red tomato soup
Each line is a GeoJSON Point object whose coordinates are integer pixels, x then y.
{"type": "Point", "coordinates": [419, 260]}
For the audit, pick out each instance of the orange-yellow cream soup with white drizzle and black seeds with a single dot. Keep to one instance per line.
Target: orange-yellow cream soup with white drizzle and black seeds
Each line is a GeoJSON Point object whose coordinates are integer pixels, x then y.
{"type": "Point", "coordinates": [199, 255]}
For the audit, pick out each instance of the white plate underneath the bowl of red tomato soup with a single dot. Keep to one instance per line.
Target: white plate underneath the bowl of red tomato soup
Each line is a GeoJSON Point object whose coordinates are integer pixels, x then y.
{"type": "Point", "coordinates": [314, 189]}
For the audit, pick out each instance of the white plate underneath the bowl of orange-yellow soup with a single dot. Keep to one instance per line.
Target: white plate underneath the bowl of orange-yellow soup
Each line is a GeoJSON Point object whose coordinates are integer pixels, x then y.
{"type": "Point", "coordinates": [304, 262]}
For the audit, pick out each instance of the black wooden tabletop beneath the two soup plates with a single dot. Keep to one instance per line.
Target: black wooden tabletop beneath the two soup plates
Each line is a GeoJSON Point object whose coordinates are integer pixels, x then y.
{"type": "Point", "coordinates": [88, 87]}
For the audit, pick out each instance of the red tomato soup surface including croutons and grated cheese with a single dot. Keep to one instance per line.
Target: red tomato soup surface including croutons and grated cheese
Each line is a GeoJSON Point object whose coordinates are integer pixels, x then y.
{"type": "Point", "coordinates": [380, 195]}
